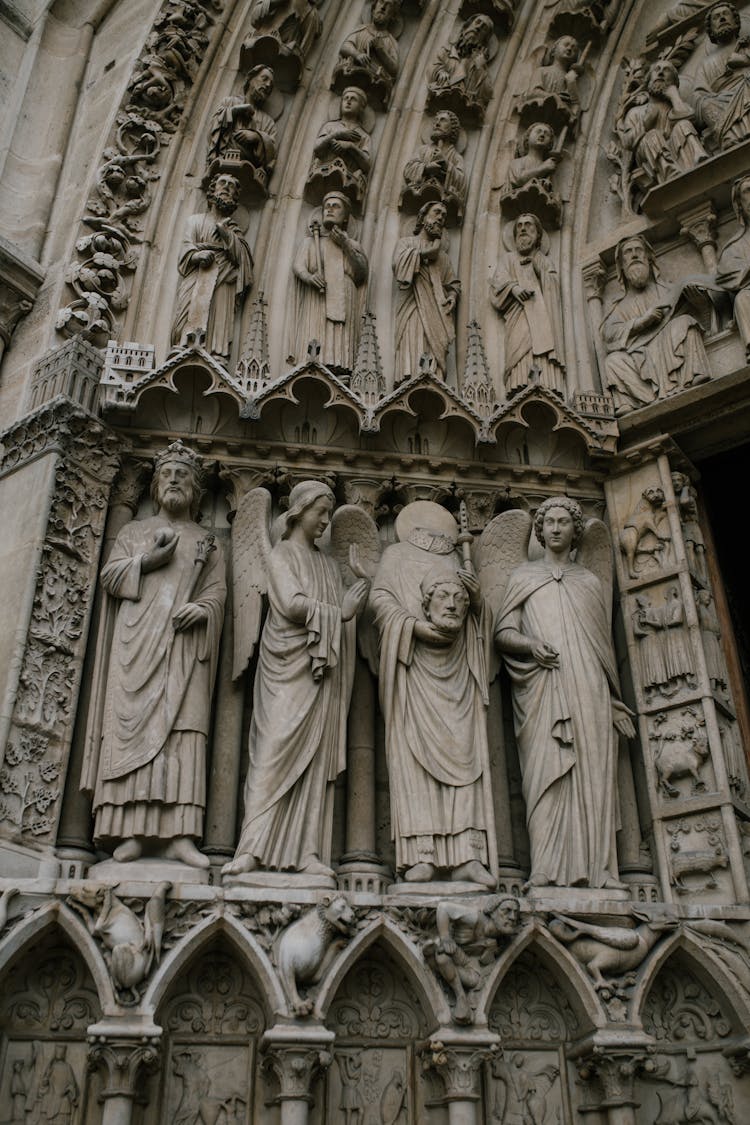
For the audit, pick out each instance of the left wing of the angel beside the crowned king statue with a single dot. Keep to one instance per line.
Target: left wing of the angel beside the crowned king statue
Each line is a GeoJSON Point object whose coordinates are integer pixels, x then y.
{"type": "Point", "coordinates": [251, 547]}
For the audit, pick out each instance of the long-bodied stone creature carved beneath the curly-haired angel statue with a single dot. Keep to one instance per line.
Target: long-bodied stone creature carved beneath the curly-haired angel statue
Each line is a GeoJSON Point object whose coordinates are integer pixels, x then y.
{"type": "Point", "coordinates": [611, 950]}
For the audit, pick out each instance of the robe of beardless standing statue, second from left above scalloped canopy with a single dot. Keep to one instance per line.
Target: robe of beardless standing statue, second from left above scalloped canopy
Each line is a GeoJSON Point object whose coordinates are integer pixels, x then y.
{"type": "Point", "coordinates": [331, 318]}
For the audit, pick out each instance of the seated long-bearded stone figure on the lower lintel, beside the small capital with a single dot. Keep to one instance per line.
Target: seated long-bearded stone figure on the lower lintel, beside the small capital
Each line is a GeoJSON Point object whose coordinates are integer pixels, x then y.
{"type": "Point", "coordinates": [652, 335]}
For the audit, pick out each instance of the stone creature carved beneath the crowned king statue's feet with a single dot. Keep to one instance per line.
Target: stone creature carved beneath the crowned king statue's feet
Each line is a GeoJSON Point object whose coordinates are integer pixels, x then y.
{"type": "Point", "coordinates": [133, 944]}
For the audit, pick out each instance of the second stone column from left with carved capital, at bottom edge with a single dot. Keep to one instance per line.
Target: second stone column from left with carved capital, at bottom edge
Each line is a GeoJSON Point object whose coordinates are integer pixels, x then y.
{"type": "Point", "coordinates": [296, 1057]}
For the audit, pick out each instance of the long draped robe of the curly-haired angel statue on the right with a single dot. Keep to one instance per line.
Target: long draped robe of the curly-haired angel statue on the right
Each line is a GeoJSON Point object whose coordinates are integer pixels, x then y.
{"type": "Point", "coordinates": [563, 718]}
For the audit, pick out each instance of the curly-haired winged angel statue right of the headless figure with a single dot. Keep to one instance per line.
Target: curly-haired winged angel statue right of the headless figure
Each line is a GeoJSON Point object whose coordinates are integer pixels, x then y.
{"type": "Point", "coordinates": [554, 628]}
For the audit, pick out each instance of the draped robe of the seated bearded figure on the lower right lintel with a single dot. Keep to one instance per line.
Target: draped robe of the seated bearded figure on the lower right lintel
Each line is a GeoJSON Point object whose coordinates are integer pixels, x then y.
{"type": "Point", "coordinates": [645, 365]}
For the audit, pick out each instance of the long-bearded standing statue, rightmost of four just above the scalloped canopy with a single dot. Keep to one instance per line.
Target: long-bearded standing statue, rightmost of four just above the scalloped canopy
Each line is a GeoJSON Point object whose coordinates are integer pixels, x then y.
{"type": "Point", "coordinates": [526, 291]}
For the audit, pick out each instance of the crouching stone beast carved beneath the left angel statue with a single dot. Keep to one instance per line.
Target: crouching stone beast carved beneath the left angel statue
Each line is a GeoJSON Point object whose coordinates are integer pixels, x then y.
{"type": "Point", "coordinates": [306, 949]}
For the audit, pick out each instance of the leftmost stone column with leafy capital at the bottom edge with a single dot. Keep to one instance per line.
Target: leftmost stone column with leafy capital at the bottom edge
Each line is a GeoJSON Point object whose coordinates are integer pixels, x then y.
{"type": "Point", "coordinates": [125, 1063]}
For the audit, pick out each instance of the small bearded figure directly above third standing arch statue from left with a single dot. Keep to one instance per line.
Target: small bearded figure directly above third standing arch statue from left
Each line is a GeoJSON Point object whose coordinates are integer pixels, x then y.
{"type": "Point", "coordinates": [437, 169]}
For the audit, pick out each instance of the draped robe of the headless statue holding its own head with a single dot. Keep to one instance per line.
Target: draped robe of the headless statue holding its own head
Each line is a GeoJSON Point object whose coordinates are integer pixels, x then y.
{"type": "Point", "coordinates": [435, 705]}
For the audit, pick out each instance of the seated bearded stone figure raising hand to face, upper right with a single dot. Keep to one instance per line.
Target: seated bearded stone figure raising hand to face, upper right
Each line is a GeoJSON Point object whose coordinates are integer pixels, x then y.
{"type": "Point", "coordinates": [656, 129]}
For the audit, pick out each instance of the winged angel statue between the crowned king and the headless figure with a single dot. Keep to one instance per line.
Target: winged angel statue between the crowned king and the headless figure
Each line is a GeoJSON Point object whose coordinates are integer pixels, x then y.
{"type": "Point", "coordinates": [305, 672]}
